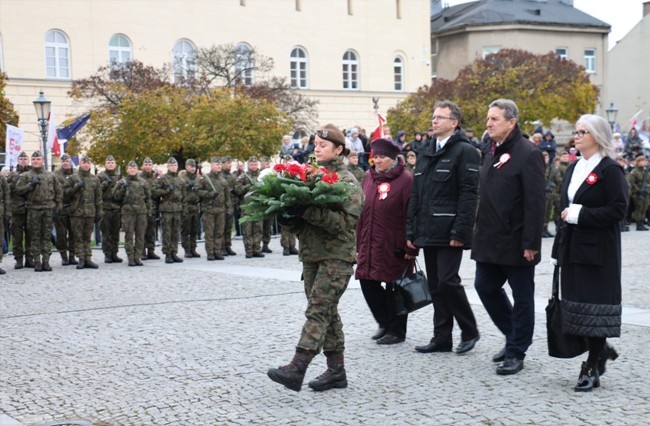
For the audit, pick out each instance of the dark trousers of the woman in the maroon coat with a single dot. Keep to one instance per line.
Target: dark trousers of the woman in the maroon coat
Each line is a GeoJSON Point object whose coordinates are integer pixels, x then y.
{"type": "Point", "coordinates": [380, 302]}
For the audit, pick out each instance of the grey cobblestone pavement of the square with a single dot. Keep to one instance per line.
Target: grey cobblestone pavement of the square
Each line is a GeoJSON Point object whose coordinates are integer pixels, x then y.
{"type": "Point", "coordinates": [190, 343]}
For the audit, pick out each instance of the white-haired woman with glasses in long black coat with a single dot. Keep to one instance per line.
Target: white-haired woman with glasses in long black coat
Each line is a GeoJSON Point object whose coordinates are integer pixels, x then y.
{"type": "Point", "coordinates": [593, 203]}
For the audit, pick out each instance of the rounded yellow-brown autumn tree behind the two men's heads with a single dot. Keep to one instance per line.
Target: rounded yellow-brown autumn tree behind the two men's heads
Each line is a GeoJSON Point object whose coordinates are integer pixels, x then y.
{"type": "Point", "coordinates": [545, 87]}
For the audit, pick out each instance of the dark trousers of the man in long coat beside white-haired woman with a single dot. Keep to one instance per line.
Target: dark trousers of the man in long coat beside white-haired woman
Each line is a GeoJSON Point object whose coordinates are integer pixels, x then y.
{"type": "Point", "coordinates": [515, 322]}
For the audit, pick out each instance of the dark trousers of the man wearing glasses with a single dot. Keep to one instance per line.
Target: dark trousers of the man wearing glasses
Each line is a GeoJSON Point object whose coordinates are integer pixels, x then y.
{"type": "Point", "coordinates": [448, 295]}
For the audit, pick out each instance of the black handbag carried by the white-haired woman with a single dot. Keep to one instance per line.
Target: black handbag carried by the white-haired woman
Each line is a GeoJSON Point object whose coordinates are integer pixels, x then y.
{"type": "Point", "coordinates": [560, 345]}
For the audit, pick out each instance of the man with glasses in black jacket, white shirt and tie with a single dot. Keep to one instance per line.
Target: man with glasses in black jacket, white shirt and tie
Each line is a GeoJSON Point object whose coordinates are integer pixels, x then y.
{"type": "Point", "coordinates": [440, 220]}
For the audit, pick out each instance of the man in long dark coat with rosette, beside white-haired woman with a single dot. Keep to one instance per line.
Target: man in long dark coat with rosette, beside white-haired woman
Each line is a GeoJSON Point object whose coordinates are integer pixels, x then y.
{"type": "Point", "coordinates": [508, 232]}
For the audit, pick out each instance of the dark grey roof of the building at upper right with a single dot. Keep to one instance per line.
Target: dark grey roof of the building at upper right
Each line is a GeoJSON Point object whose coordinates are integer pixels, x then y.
{"type": "Point", "coordinates": [499, 12]}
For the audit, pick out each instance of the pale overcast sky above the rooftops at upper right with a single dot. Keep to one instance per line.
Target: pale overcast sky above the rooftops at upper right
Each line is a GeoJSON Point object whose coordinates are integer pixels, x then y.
{"type": "Point", "coordinates": [622, 15]}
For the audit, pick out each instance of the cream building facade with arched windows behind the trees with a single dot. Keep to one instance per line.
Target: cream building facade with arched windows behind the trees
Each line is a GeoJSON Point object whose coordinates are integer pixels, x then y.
{"type": "Point", "coordinates": [342, 53]}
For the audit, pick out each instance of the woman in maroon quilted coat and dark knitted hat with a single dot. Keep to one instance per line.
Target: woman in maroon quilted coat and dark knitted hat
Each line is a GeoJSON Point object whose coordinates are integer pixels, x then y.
{"type": "Point", "coordinates": [381, 238]}
